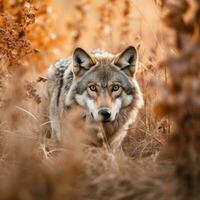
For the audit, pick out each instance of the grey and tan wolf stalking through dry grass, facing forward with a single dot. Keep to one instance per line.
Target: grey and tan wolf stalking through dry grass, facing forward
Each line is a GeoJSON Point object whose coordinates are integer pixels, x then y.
{"type": "Point", "coordinates": [101, 83]}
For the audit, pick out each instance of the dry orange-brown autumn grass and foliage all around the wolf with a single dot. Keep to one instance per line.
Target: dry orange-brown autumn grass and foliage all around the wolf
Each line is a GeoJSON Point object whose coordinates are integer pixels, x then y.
{"type": "Point", "coordinates": [162, 149]}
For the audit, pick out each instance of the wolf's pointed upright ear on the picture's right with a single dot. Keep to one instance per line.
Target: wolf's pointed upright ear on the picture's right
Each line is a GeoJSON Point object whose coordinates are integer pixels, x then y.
{"type": "Point", "coordinates": [126, 60]}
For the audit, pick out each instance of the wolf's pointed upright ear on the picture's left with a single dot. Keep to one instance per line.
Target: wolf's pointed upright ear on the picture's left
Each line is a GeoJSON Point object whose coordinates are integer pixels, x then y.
{"type": "Point", "coordinates": [81, 61]}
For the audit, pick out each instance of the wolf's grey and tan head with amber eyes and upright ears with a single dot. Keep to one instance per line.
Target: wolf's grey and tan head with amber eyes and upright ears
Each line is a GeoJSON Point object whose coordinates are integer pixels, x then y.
{"type": "Point", "coordinates": [104, 83]}
